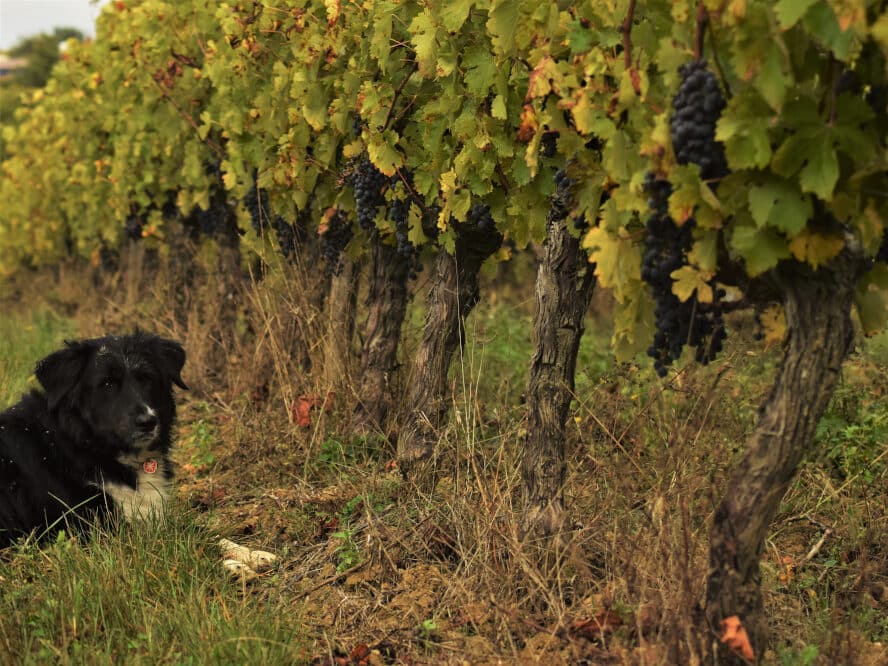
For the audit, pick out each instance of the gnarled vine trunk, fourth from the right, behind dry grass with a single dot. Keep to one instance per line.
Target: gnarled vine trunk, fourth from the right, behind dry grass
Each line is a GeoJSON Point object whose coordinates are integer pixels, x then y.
{"type": "Point", "coordinates": [387, 306]}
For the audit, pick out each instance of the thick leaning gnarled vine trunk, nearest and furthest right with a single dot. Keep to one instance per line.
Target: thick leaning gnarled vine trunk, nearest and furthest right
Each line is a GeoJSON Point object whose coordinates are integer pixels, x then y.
{"type": "Point", "coordinates": [819, 337]}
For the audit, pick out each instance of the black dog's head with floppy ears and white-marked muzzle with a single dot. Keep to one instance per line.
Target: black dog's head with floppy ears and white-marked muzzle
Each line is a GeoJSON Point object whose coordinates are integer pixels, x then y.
{"type": "Point", "coordinates": [120, 387]}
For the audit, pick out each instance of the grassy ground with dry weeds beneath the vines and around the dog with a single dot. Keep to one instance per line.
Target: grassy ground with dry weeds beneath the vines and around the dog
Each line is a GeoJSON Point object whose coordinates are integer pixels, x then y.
{"type": "Point", "coordinates": [449, 578]}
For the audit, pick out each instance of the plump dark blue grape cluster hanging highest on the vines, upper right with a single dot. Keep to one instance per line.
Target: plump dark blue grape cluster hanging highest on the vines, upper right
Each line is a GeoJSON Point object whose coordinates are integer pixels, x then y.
{"type": "Point", "coordinates": [697, 106]}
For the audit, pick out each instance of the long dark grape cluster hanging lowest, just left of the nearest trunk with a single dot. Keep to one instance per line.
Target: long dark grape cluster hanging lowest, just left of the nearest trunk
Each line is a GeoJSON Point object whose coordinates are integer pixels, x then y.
{"type": "Point", "coordinates": [693, 323]}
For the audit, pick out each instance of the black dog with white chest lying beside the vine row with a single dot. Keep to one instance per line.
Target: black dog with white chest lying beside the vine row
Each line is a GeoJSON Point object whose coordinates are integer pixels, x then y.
{"type": "Point", "coordinates": [96, 442]}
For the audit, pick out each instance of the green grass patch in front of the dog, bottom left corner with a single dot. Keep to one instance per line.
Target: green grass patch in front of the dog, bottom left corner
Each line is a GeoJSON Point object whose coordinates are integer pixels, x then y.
{"type": "Point", "coordinates": [149, 593]}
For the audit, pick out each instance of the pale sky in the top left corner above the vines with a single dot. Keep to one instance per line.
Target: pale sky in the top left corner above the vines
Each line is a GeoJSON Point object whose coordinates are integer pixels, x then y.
{"type": "Point", "coordinates": [23, 18]}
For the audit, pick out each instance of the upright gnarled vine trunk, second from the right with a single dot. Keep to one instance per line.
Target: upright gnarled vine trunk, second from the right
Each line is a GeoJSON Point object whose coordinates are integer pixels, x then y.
{"type": "Point", "coordinates": [564, 287]}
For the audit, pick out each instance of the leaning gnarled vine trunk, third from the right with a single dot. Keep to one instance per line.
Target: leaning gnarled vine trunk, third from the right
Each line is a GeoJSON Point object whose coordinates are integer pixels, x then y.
{"type": "Point", "coordinates": [453, 295]}
